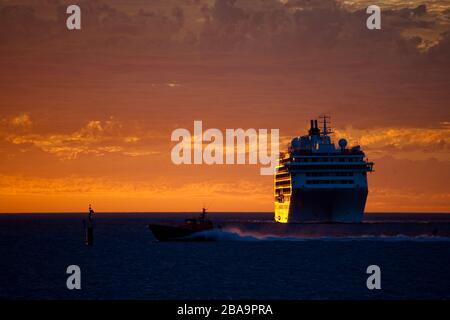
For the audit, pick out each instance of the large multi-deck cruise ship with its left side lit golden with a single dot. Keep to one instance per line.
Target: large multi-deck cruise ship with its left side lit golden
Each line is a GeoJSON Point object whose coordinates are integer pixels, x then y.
{"type": "Point", "coordinates": [317, 181]}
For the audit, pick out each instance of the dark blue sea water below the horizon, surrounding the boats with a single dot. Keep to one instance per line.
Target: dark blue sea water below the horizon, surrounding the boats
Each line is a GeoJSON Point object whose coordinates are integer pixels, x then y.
{"type": "Point", "coordinates": [126, 263]}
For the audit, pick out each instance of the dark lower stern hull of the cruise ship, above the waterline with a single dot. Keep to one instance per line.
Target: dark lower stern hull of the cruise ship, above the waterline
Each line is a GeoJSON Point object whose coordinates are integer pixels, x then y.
{"type": "Point", "coordinates": [326, 205]}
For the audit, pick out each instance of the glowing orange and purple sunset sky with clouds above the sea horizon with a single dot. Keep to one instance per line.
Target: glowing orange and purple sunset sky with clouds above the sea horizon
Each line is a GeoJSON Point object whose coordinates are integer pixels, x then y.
{"type": "Point", "coordinates": [86, 116]}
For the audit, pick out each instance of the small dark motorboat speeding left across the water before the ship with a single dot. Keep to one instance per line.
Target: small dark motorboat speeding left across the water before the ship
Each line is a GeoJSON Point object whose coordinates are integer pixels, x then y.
{"type": "Point", "coordinates": [183, 232]}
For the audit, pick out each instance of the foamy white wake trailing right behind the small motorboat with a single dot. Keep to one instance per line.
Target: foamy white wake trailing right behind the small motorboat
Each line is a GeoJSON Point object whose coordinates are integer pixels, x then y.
{"type": "Point", "coordinates": [239, 235]}
